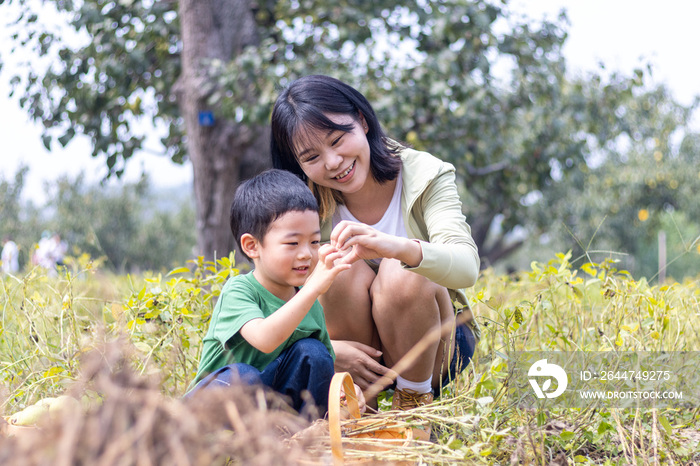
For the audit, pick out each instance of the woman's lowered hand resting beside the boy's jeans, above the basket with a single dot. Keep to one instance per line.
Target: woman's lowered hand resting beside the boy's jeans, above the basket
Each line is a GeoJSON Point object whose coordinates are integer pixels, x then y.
{"type": "Point", "coordinates": [358, 359]}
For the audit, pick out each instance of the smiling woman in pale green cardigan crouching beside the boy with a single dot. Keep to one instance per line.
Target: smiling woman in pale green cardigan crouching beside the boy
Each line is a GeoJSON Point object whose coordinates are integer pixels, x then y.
{"type": "Point", "coordinates": [399, 210]}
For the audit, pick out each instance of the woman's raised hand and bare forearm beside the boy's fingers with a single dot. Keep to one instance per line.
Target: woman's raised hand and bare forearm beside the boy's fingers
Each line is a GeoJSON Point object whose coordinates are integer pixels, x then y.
{"type": "Point", "coordinates": [358, 241]}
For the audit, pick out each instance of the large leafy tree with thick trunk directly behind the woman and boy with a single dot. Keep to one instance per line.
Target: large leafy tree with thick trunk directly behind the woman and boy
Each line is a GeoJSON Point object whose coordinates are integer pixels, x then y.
{"type": "Point", "coordinates": [461, 79]}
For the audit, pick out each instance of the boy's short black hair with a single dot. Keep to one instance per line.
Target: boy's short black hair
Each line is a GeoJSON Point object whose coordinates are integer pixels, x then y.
{"type": "Point", "coordinates": [264, 198]}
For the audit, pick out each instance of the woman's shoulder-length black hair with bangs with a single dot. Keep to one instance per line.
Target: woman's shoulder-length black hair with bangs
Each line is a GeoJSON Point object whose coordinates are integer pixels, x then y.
{"type": "Point", "coordinates": [303, 106]}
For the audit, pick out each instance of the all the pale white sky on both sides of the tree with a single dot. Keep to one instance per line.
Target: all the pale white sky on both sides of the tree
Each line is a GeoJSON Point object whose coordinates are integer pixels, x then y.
{"type": "Point", "coordinates": [622, 34]}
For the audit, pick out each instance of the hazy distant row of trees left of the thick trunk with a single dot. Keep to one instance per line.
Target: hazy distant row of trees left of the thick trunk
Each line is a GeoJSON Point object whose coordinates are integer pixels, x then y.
{"type": "Point", "coordinates": [129, 226]}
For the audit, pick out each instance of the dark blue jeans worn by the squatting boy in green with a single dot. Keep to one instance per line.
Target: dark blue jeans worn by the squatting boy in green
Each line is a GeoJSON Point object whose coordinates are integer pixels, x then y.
{"type": "Point", "coordinates": [306, 366]}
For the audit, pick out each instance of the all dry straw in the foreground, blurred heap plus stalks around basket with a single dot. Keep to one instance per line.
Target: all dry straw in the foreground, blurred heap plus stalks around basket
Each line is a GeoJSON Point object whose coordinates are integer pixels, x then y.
{"type": "Point", "coordinates": [126, 420]}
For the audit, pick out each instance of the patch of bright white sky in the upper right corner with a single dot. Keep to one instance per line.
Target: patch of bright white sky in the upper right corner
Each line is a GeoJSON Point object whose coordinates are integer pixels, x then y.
{"type": "Point", "coordinates": [626, 33]}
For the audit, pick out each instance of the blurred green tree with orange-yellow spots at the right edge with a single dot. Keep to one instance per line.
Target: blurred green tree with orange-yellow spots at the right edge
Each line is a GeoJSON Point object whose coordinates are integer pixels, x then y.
{"type": "Point", "coordinates": [644, 181]}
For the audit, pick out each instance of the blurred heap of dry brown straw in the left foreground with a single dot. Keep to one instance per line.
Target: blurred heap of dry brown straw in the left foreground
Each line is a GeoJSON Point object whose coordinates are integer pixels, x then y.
{"type": "Point", "coordinates": [132, 423]}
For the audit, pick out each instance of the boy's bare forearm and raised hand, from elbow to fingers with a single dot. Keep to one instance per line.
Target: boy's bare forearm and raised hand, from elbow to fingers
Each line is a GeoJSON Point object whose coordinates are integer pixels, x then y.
{"type": "Point", "coordinates": [269, 333]}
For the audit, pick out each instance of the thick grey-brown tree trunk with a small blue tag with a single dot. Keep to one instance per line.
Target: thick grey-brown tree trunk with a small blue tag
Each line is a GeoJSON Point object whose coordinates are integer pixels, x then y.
{"type": "Point", "coordinates": [222, 152]}
